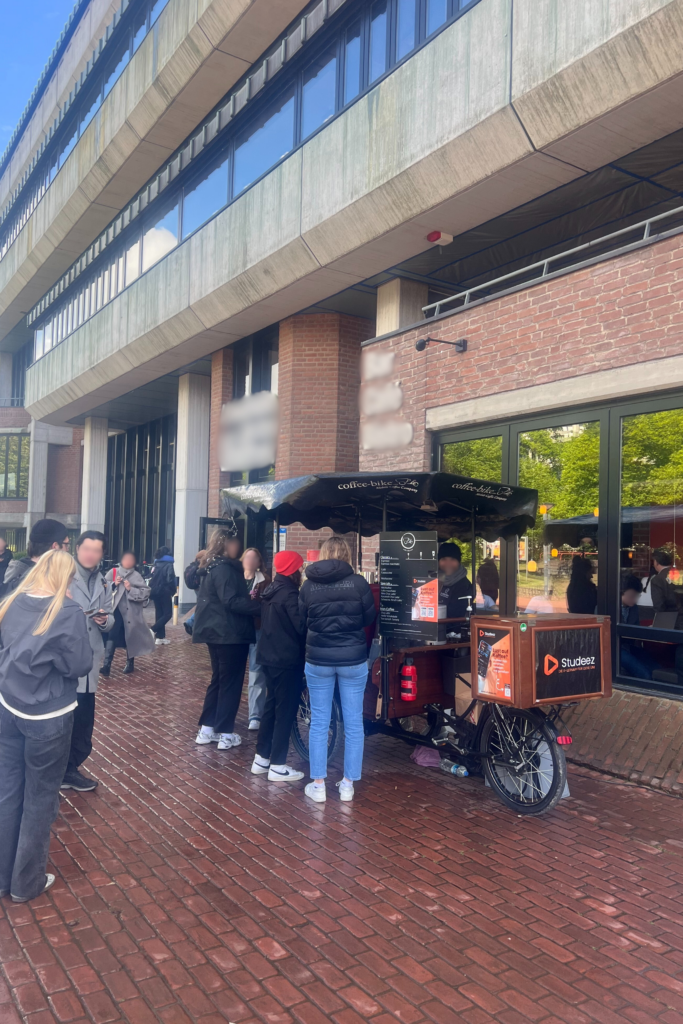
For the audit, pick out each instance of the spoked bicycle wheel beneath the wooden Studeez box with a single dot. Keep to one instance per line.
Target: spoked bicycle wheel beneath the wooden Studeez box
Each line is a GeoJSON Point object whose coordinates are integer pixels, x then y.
{"type": "Point", "coordinates": [526, 767]}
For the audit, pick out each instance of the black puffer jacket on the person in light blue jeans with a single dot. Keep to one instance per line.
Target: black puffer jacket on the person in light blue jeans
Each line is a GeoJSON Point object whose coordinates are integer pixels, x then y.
{"type": "Point", "coordinates": [336, 606]}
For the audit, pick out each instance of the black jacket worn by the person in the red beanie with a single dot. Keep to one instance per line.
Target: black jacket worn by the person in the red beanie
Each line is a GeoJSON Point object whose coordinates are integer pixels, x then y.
{"type": "Point", "coordinates": [282, 644]}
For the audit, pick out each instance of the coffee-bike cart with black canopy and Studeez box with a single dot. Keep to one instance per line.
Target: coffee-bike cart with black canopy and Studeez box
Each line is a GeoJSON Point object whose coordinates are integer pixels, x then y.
{"type": "Point", "coordinates": [519, 672]}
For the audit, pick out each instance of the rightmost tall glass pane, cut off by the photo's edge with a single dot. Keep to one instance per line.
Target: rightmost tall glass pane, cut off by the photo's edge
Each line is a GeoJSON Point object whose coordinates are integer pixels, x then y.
{"type": "Point", "coordinates": [652, 582]}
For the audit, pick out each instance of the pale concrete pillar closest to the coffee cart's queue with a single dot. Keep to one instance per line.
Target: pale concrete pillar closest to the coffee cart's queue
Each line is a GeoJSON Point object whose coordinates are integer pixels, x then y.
{"type": "Point", "coordinates": [192, 475]}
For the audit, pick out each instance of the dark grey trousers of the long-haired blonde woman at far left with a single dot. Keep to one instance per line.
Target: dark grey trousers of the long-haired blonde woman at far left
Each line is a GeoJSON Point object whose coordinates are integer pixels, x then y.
{"type": "Point", "coordinates": [33, 758]}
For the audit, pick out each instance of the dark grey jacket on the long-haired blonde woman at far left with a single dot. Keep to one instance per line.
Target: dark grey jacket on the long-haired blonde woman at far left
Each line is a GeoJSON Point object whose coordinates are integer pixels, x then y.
{"type": "Point", "coordinates": [39, 675]}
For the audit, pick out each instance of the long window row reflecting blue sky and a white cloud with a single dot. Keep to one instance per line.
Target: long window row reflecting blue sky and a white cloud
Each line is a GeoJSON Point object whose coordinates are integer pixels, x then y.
{"type": "Point", "coordinates": [350, 62]}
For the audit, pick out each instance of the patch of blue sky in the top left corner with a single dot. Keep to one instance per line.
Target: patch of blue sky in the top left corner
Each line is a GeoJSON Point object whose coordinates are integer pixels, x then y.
{"type": "Point", "coordinates": [29, 31]}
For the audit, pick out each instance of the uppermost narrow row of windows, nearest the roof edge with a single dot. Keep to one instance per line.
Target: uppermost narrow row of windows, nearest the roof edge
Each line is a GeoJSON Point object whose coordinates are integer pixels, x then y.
{"type": "Point", "coordinates": [103, 84]}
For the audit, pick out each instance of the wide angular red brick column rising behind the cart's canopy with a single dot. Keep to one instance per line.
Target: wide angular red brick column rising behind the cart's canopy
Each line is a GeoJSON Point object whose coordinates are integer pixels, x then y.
{"type": "Point", "coordinates": [319, 393]}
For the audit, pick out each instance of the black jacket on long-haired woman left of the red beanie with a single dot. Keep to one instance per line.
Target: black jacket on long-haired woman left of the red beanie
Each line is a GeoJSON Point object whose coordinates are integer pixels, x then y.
{"type": "Point", "coordinates": [225, 613]}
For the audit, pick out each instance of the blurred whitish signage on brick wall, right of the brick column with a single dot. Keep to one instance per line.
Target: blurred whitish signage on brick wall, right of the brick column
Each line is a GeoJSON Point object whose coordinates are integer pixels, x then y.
{"type": "Point", "coordinates": [383, 428]}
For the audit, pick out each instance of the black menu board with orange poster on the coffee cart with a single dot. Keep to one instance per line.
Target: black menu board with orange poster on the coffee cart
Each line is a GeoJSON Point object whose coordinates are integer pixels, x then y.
{"type": "Point", "coordinates": [409, 586]}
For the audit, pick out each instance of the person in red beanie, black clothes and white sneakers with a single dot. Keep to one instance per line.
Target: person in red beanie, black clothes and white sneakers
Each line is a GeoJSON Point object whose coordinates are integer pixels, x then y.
{"type": "Point", "coordinates": [281, 655]}
